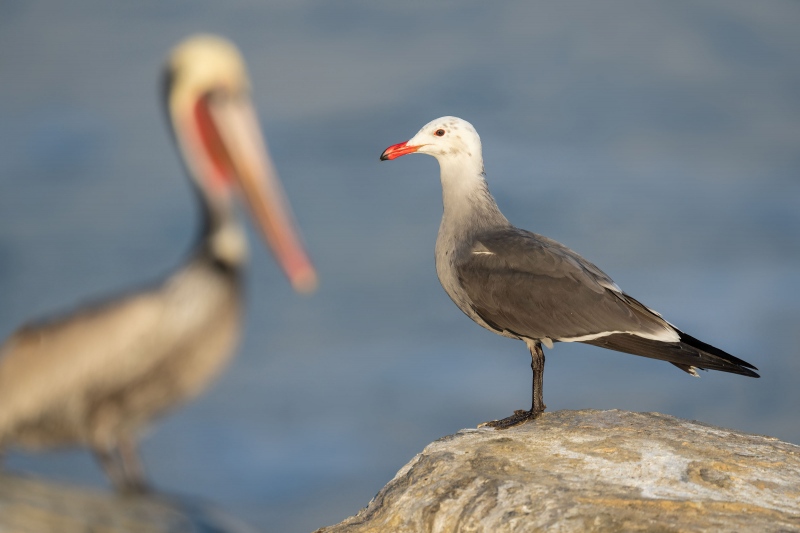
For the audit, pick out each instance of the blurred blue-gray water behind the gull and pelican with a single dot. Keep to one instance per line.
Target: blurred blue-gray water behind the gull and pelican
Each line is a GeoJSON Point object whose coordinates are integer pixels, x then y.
{"type": "Point", "coordinates": [659, 140]}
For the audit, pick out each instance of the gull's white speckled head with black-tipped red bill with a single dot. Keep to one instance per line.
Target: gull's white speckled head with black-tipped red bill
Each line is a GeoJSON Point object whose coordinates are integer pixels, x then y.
{"type": "Point", "coordinates": [446, 138]}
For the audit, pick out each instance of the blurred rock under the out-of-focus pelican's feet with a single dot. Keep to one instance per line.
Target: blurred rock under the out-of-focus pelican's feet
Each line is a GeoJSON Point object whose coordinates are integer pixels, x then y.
{"type": "Point", "coordinates": [38, 506]}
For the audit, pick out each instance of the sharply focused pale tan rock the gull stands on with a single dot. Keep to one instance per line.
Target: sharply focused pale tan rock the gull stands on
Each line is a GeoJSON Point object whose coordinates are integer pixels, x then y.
{"type": "Point", "coordinates": [577, 471]}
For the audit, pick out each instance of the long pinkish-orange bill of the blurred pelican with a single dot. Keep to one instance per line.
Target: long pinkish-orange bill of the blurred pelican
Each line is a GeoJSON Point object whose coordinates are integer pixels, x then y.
{"type": "Point", "coordinates": [240, 136]}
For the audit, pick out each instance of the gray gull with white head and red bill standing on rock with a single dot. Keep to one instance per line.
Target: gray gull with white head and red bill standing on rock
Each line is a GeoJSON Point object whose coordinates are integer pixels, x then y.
{"type": "Point", "coordinates": [525, 286]}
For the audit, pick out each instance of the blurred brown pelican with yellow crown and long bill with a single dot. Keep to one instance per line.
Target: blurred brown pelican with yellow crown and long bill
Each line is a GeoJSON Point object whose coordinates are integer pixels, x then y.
{"type": "Point", "coordinates": [96, 376]}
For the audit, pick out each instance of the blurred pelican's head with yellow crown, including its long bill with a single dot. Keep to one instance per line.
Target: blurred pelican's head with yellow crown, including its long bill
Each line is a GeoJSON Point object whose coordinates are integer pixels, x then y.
{"type": "Point", "coordinates": [216, 129]}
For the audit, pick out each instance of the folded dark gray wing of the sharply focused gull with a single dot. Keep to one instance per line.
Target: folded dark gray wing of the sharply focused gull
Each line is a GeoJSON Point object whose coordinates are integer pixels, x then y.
{"type": "Point", "coordinates": [534, 287]}
